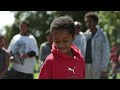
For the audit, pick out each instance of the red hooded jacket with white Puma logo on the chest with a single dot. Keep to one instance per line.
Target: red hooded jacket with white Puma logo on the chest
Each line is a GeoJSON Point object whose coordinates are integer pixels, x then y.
{"type": "Point", "coordinates": [60, 66]}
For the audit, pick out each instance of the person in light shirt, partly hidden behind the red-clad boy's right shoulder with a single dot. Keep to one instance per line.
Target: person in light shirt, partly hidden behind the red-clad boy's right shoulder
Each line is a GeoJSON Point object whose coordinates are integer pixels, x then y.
{"type": "Point", "coordinates": [80, 38]}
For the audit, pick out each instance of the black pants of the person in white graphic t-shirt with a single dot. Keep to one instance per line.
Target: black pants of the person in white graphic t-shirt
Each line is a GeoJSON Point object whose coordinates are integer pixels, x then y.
{"type": "Point", "coordinates": [13, 74]}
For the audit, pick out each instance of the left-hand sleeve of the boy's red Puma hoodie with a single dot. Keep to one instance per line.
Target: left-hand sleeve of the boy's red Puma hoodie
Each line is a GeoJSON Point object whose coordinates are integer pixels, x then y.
{"type": "Point", "coordinates": [45, 72]}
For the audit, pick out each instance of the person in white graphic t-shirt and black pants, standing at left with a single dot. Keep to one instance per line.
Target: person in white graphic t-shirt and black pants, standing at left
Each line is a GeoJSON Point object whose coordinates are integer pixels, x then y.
{"type": "Point", "coordinates": [23, 48]}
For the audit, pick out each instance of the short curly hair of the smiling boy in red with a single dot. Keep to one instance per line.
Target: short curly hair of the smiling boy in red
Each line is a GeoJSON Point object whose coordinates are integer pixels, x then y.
{"type": "Point", "coordinates": [63, 23]}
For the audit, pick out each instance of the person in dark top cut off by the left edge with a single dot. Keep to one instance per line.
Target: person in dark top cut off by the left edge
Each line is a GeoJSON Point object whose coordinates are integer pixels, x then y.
{"type": "Point", "coordinates": [4, 61]}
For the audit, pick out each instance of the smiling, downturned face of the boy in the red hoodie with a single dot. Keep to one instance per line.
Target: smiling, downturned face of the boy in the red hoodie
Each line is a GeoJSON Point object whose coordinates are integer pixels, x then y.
{"type": "Point", "coordinates": [62, 40]}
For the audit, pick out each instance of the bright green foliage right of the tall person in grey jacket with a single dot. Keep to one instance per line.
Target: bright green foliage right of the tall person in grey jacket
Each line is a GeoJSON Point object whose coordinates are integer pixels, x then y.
{"type": "Point", "coordinates": [109, 21]}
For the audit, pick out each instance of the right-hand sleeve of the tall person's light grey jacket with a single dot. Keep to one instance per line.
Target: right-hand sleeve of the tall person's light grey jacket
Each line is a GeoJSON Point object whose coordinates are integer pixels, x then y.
{"type": "Point", "coordinates": [105, 52]}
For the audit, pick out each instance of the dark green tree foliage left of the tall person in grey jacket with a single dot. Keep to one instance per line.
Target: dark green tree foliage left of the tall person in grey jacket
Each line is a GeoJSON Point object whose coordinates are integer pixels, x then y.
{"type": "Point", "coordinates": [40, 22]}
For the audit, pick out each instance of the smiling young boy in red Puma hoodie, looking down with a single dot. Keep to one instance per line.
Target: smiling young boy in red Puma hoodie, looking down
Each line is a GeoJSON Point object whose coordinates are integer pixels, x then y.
{"type": "Point", "coordinates": [65, 60]}
